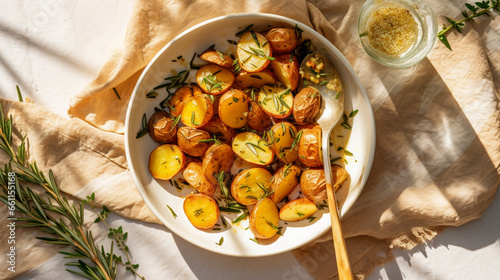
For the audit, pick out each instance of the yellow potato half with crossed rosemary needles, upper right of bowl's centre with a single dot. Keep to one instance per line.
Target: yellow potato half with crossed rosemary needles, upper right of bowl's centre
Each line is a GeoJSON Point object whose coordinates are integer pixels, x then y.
{"type": "Point", "coordinates": [276, 101]}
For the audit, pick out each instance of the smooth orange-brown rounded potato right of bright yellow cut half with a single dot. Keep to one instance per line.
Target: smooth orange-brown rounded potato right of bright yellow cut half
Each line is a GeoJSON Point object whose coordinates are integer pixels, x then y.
{"type": "Point", "coordinates": [233, 108]}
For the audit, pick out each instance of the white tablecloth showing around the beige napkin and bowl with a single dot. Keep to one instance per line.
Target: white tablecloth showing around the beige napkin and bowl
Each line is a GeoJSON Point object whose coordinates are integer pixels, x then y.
{"type": "Point", "coordinates": [53, 48]}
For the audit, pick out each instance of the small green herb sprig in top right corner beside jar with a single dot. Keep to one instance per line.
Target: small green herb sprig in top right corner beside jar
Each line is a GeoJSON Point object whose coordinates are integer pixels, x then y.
{"type": "Point", "coordinates": [477, 9]}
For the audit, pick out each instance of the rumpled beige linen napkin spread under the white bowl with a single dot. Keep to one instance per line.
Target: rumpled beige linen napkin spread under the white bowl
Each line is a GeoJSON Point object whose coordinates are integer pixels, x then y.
{"type": "Point", "coordinates": [437, 155]}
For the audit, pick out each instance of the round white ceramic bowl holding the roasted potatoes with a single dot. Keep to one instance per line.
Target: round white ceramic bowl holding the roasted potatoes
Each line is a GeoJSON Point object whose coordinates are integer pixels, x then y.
{"type": "Point", "coordinates": [158, 194]}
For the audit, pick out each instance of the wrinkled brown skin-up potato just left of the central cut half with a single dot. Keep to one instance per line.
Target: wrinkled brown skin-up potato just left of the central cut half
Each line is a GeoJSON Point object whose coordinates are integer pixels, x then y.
{"type": "Point", "coordinates": [218, 158]}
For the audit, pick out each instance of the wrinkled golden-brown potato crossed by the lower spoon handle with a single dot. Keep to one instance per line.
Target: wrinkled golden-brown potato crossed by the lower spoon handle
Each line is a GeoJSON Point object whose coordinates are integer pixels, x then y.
{"type": "Point", "coordinates": [313, 185]}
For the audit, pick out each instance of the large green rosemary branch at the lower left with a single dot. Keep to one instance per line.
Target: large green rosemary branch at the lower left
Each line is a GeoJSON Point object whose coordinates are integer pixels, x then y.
{"type": "Point", "coordinates": [54, 215]}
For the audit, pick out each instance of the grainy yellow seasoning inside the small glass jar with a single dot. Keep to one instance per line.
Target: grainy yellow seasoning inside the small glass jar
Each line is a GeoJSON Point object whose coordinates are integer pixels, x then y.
{"type": "Point", "coordinates": [391, 29]}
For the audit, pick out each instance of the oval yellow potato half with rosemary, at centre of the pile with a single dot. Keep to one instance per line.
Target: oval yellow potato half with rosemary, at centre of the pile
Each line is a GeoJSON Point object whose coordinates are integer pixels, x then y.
{"type": "Point", "coordinates": [252, 148]}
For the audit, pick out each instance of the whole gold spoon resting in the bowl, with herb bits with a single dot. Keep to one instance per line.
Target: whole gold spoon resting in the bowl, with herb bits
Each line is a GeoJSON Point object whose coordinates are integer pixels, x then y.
{"type": "Point", "coordinates": [326, 80]}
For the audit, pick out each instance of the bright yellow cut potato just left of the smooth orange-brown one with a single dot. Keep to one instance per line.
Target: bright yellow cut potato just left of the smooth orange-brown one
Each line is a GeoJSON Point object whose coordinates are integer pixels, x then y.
{"type": "Point", "coordinates": [197, 111]}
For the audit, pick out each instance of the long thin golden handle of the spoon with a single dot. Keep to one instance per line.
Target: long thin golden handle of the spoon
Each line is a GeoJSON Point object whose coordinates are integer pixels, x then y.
{"type": "Point", "coordinates": [343, 263]}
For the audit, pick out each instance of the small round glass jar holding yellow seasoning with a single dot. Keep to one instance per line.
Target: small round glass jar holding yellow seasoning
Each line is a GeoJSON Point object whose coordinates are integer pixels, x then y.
{"type": "Point", "coordinates": [397, 33]}
